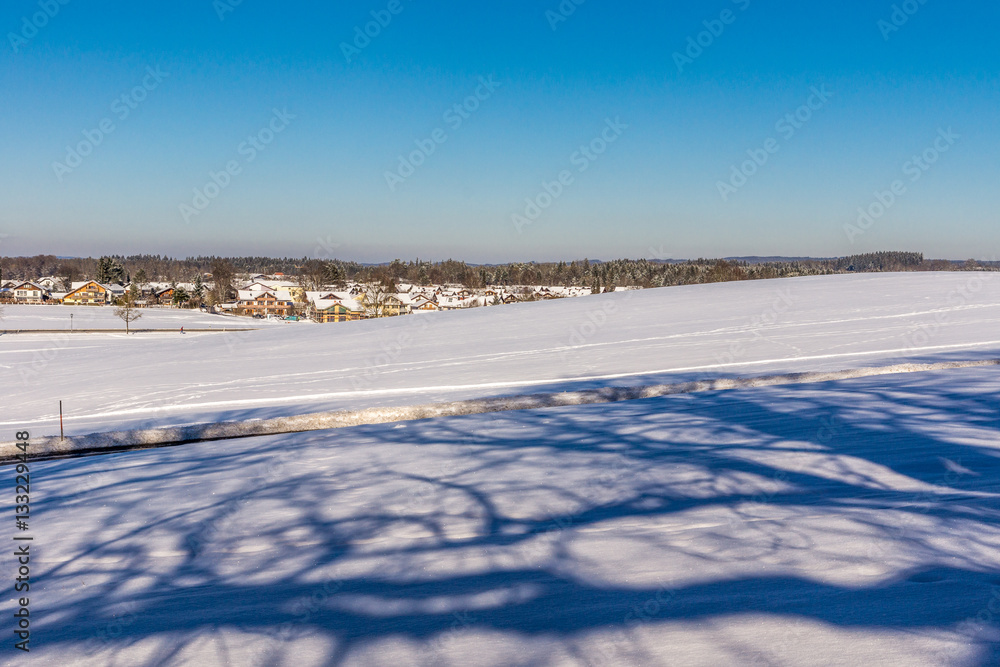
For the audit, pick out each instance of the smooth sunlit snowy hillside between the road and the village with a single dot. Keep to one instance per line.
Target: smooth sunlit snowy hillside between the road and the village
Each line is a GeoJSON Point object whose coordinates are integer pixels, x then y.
{"type": "Point", "coordinates": [109, 381]}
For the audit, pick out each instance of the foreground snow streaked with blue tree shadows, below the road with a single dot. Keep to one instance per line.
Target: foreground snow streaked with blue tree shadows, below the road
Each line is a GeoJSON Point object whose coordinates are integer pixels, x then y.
{"type": "Point", "coordinates": [843, 523]}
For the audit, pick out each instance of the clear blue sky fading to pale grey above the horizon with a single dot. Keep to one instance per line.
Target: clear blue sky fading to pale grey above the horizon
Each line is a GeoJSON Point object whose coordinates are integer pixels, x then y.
{"type": "Point", "coordinates": [320, 187]}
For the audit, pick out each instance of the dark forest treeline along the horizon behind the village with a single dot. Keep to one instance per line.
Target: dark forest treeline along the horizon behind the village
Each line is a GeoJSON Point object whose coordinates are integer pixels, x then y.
{"type": "Point", "coordinates": [595, 274]}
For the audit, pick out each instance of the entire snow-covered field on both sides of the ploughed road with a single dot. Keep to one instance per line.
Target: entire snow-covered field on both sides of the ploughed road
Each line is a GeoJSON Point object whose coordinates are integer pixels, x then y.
{"type": "Point", "coordinates": [837, 523]}
